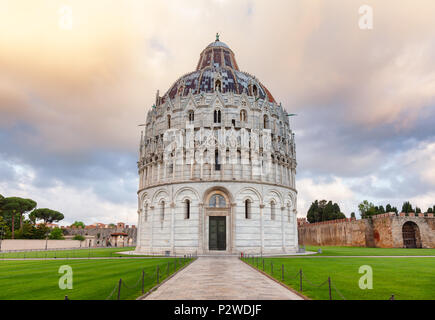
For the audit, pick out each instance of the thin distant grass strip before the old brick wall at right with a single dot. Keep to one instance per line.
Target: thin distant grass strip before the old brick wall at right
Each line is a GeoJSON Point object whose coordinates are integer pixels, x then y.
{"type": "Point", "coordinates": [362, 251]}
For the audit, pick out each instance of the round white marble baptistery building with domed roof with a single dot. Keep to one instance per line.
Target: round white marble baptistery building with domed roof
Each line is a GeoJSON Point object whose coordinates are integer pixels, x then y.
{"type": "Point", "coordinates": [217, 165]}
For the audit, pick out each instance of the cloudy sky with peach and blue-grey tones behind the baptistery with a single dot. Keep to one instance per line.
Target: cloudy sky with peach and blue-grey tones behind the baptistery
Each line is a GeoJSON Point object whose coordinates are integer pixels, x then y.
{"type": "Point", "coordinates": [78, 76]}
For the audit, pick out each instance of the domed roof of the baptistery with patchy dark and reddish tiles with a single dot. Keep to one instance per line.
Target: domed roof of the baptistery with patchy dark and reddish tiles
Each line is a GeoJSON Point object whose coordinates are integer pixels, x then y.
{"type": "Point", "coordinates": [217, 62]}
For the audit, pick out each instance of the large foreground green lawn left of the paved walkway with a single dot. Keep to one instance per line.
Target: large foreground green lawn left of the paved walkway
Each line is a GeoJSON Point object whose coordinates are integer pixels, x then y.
{"type": "Point", "coordinates": [92, 279]}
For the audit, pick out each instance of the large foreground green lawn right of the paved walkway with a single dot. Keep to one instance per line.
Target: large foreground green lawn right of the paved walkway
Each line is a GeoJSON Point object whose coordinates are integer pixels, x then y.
{"type": "Point", "coordinates": [406, 278]}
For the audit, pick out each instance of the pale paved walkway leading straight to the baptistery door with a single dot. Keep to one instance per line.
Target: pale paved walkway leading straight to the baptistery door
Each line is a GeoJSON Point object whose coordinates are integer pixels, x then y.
{"type": "Point", "coordinates": [221, 278]}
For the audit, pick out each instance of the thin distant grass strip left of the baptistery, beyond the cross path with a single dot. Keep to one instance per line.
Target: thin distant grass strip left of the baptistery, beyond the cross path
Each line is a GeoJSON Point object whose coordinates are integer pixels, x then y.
{"type": "Point", "coordinates": [73, 253]}
